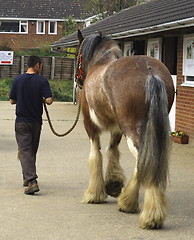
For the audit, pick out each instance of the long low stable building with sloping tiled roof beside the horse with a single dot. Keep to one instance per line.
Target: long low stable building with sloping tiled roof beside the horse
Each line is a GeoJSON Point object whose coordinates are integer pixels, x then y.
{"type": "Point", "coordinates": [163, 29]}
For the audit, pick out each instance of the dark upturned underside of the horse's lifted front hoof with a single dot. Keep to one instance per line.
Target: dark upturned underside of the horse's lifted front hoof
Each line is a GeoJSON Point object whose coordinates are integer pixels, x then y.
{"type": "Point", "coordinates": [113, 188]}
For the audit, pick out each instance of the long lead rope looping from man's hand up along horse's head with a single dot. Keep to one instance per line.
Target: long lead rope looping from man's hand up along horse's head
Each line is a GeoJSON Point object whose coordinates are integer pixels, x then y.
{"type": "Point", "coordinates": [79, 101]}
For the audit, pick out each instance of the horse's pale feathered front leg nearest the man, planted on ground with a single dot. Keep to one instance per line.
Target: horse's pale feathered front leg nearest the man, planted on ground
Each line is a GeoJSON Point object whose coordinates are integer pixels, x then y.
{"type": "Point", "coordinates": [96, 192]}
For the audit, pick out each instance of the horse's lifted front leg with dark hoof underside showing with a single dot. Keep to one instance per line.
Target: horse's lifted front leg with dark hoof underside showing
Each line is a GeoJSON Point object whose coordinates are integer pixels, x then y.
{"type": "Point", "coordinates": [114, 180]}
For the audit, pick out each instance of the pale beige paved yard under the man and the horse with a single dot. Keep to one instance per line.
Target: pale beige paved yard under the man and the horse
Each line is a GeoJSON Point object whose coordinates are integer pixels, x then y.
{"type": "Point", "coordinates": [56, 212]}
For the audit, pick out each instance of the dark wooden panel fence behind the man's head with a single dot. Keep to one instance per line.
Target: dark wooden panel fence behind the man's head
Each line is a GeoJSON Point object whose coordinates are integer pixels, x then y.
{"type": "Point", "coordinates": [53, 68]}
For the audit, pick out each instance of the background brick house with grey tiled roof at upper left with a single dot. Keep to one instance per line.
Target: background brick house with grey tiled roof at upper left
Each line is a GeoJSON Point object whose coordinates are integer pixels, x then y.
{"type": "Point", "coordinates": [29, 24]}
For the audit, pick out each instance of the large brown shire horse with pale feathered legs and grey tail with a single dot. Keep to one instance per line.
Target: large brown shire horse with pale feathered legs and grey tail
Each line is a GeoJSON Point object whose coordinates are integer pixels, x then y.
{"type": "Point", "coordinates": [128, 96]}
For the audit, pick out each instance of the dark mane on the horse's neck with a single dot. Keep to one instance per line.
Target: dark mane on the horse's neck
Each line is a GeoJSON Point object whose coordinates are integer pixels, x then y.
{"type": "Point", "coordinates": [91, 43]}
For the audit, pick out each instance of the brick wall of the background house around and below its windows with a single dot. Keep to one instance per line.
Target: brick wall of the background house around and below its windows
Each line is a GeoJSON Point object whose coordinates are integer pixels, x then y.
{"type": "Point", "coordinates": [30, 40]}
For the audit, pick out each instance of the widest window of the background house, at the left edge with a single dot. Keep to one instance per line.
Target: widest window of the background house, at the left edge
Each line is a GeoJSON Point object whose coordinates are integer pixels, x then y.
{"type": "Point", "coordinates": [13, 26]}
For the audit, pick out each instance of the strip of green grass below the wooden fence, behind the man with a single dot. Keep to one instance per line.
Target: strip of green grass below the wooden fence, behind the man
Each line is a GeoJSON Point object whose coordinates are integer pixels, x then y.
{"type": "Point", "coordinates": [62, 89]}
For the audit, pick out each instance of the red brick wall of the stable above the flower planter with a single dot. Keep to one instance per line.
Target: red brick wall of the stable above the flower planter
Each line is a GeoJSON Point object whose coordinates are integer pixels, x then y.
{"type": "Point", "coordinates": [185, 99]}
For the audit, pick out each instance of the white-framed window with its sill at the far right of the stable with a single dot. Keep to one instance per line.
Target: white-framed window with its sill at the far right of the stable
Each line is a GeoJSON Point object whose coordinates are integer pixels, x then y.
{"type": "Point", "coordinates": [188, 60]}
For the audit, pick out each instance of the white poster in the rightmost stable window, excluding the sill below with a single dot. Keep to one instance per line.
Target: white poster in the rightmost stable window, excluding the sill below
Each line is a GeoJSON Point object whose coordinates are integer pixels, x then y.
{"type": "Point", "coordinates": [188, 55]}
